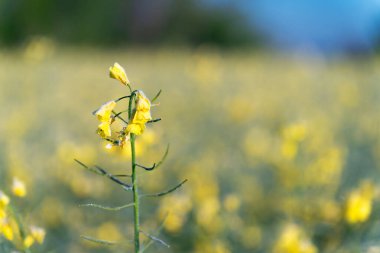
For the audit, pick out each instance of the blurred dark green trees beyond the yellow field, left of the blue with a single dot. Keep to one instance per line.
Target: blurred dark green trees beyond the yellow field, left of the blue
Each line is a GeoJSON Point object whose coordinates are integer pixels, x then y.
{"type": "Point", "coordinates": [117, 22]}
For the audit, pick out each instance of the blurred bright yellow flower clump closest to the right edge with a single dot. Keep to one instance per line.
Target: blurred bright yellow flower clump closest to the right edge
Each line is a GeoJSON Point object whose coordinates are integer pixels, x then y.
{"type": "Point", "coordinates": [359, 203]}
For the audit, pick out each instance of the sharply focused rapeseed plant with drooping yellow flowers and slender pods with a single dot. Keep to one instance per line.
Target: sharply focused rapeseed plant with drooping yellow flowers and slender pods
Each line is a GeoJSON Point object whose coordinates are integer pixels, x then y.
{"type": "Point", "coordinates": [132, 123]}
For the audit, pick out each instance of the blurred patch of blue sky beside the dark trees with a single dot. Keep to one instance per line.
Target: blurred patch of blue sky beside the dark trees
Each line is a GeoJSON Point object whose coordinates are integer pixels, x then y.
{"type": "Point", "coordinates": [321, 25]}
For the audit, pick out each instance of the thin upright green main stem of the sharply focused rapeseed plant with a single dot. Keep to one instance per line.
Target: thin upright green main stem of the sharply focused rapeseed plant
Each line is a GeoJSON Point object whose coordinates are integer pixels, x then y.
{"type": "Point", "coordinates": [134, 182]}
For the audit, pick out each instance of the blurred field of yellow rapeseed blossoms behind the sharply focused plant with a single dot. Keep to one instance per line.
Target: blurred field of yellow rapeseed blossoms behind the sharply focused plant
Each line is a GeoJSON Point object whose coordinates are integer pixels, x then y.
{"type": "Point", "coordinates": [274, 147]}
